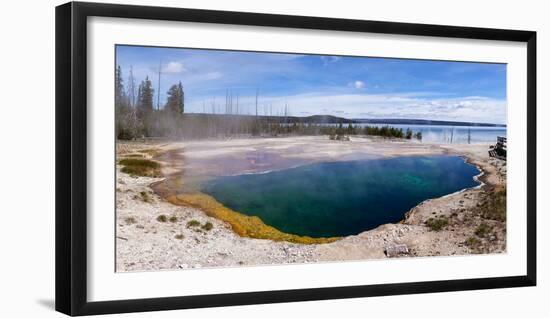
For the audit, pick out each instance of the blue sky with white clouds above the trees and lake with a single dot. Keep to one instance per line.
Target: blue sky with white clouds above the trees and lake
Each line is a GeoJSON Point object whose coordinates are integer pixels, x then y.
{"type": "Point", "coordinates": [351, 87]}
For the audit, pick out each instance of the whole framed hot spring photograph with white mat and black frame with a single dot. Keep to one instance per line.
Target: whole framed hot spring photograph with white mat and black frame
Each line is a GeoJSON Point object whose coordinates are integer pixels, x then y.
{"type": "Point", "coordinates": [208, 158]}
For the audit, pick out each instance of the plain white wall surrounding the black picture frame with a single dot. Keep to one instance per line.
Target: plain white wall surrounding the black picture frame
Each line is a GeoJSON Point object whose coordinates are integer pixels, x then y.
{"type": "Point", "coordinates": [27, 157]}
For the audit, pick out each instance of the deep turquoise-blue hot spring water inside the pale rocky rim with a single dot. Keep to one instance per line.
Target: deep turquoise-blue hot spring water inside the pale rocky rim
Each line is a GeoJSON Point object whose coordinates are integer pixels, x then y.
{"type": "Point", "coordinates": [342, 198]}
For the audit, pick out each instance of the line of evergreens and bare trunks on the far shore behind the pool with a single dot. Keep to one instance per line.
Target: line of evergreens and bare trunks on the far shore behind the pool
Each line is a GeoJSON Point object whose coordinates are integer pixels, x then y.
{"type": "Point", "coordinates": [137, 117]}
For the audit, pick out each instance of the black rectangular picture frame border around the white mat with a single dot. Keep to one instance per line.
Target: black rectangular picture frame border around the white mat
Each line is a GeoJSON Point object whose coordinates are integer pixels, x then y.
{"type": "Point", "coordinates": [71, 157]}
